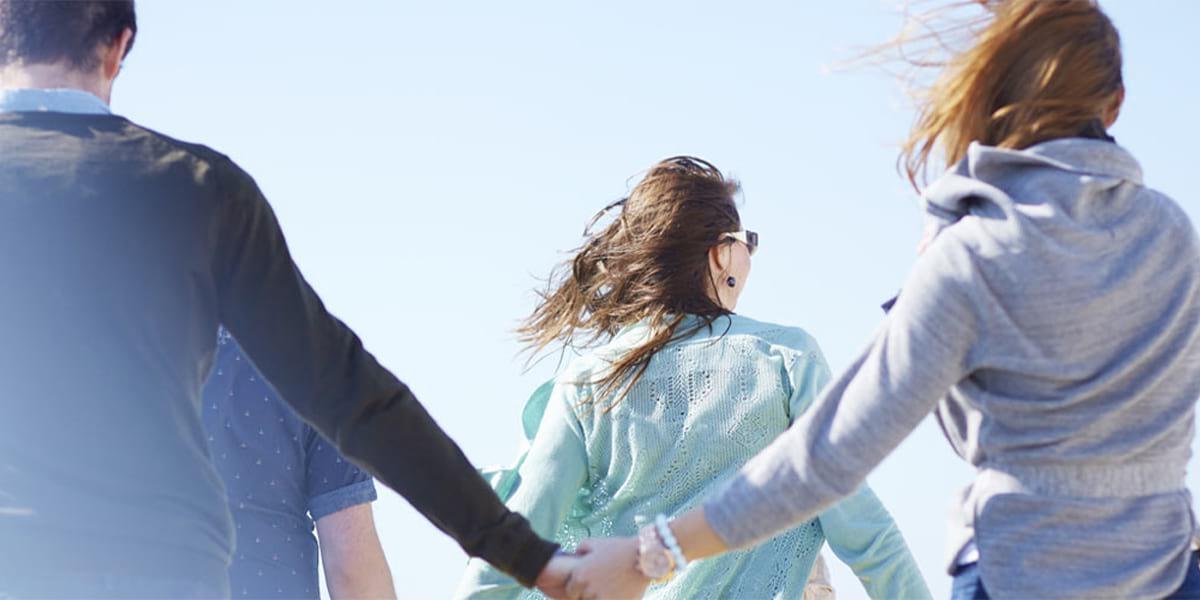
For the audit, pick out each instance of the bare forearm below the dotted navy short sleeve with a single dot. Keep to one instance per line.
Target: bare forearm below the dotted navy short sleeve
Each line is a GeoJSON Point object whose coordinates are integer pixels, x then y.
{"type": "Point", "coordinates": [352, 555]}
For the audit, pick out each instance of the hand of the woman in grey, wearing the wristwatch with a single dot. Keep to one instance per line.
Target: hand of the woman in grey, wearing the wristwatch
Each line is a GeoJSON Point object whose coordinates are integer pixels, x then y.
{"type": "Point", "coordinates": [608, 569]}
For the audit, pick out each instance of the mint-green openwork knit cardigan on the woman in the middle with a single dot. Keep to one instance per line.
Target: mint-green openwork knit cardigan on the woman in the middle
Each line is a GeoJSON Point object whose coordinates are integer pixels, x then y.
{"type": "Point", "coordinates": [705, 406]}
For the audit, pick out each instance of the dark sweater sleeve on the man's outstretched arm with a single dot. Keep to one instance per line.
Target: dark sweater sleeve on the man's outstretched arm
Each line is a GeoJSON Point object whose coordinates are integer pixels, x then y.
{"type": "Point", "coordinates": [322, 370]}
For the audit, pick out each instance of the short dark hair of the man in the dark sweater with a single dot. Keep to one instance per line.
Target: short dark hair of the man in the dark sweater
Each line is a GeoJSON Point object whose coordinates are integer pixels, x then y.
{"type": "Point", "coordinates": [62, 32]}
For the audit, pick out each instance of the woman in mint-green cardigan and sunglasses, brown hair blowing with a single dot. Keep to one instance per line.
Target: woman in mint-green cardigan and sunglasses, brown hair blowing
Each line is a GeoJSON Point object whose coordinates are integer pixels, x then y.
{"type": "Point", "coordinates": [673, 393]}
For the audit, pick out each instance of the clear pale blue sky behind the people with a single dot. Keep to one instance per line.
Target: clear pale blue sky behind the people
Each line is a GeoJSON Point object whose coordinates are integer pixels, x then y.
{"type": "Point", "coordinates": [430, 160]}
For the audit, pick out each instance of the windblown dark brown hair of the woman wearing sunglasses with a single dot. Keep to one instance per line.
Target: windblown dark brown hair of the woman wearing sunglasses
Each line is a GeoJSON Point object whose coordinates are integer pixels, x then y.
{"type": "Point", "coordinates": [651, 263]}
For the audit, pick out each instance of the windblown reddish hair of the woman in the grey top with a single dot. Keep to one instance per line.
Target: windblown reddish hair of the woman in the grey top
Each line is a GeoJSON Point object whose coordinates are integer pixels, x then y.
{"type": "Point", "coordinates": [1033, 71]}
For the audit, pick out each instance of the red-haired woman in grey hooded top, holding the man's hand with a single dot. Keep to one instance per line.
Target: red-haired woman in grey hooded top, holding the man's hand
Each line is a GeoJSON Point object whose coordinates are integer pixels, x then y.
{"type": "Point", "coordinates": [1053, 320]}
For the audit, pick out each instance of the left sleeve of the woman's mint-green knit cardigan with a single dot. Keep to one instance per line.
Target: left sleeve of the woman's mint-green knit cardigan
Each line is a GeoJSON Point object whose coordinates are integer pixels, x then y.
{"type": "Point", "coordinates": [550, 479]}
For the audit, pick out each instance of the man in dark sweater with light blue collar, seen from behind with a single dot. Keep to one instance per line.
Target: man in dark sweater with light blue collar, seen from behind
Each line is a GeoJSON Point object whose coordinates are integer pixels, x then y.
{"type": "Point", "coordinates": [122, 251]}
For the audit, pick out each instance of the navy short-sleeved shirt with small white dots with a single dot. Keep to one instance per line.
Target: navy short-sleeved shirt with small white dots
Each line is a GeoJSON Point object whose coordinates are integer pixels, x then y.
{"type": "Point", "coordinates": [280, 477]}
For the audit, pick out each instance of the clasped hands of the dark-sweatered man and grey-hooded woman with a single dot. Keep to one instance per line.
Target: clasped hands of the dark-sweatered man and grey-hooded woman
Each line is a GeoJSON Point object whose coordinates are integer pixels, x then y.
{"type": "Point", "coordinates": [599, 569]}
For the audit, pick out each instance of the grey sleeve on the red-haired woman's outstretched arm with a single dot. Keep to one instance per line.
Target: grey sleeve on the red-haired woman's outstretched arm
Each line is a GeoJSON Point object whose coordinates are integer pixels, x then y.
{"type": "Point", "coordinates": [920, 353]}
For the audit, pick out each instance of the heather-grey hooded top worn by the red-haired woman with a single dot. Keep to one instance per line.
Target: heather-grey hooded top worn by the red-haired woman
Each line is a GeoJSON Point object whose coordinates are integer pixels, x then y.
{"type": "Point", "coordinates": [1057, 317]}
